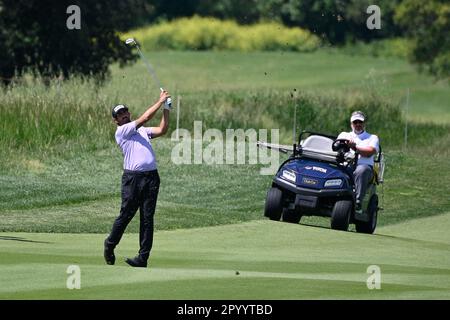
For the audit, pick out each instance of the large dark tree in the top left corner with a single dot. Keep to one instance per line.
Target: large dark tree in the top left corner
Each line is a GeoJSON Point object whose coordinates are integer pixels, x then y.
{"type": "Point", "coordinates": [34, 36]}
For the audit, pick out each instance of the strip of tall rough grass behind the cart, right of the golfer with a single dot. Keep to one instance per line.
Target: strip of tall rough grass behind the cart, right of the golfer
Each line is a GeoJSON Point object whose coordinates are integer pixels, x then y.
{"type": "Point", "coordinates": [320, 112]}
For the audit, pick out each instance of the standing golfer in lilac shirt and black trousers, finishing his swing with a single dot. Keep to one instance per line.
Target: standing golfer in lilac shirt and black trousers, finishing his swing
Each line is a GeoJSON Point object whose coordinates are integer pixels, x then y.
{"type": "Point", "coordinates": [140, 179]}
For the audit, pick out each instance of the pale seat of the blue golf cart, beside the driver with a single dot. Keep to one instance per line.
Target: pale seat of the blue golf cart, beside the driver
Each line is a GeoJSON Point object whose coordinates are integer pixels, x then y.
{"type": "Point", "coordinates": [318, 147]}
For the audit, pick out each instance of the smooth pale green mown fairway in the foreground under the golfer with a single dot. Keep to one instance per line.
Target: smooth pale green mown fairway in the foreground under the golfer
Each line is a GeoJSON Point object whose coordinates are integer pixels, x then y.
{"type": "Point", "coordinates": [274, 261]}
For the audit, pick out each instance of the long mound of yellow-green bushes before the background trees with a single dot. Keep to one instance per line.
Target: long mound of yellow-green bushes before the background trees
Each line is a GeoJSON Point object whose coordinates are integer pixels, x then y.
{"type": "Point", "coordinates": [212, 34]}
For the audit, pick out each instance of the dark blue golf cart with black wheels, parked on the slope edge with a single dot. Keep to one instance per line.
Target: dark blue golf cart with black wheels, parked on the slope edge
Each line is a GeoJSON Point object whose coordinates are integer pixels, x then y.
{"type": "Point", "coordinates": [317, 180]}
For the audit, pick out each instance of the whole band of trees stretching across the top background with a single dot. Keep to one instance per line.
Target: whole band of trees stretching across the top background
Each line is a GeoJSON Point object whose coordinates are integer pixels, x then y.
{"type": "Point", "coordinates": [34, 36]}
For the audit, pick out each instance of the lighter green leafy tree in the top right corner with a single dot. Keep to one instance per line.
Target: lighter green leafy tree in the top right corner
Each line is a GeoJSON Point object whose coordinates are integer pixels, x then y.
{"type": "Point", "coordinates": [427, 23]}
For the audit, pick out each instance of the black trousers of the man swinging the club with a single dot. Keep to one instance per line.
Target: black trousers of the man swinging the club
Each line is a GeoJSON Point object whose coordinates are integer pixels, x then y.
{"type": "Point", "coordinates": [139, 190]}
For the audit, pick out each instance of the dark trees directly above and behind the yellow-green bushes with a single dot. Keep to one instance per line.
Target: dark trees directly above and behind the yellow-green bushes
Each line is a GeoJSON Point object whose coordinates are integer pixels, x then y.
{"type": "Point", "coordinates": [337, 21]}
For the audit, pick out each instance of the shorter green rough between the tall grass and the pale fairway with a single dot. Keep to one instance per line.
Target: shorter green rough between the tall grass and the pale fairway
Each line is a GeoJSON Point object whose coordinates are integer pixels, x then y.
{"type": "Point", "coordinates": [83, 194]}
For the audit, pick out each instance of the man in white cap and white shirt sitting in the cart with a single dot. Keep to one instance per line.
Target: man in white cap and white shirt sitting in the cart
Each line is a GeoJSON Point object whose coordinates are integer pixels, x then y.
{"type": "Point", "coordinates": [367, 145]}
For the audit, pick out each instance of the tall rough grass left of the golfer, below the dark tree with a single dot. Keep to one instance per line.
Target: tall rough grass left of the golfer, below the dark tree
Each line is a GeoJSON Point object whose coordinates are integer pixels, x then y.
{"type": "Point", "coordinates": [36, 116]}
